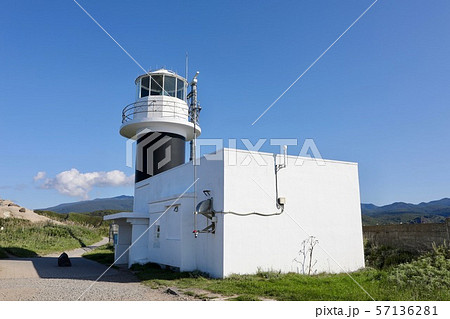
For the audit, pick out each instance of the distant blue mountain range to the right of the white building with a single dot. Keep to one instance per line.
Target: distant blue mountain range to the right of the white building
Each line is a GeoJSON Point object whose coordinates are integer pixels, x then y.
{"type": "Point", "coordinates": [432, 212]}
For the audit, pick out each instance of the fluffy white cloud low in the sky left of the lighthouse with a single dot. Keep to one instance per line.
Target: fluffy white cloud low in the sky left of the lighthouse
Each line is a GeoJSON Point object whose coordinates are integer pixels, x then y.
{"type": "Point", "coordinates": [74, 183]}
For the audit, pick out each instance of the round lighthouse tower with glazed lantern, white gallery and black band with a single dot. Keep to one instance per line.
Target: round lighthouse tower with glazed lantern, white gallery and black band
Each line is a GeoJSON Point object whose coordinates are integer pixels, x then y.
{"type": "Point", "coordinates": [161, 121]}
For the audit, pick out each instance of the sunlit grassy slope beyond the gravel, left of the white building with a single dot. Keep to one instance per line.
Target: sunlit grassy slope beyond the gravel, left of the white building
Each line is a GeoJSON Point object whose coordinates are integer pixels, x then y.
{"type": "Point", "coordinates": [25, 239]}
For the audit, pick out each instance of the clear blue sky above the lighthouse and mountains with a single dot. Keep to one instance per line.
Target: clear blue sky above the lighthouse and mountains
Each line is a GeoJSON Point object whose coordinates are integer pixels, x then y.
{"type": "Point", "coordinates": [379, 97]}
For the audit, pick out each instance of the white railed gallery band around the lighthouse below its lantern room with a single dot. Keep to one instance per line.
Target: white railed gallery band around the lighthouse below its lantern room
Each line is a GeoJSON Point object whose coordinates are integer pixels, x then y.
{"type": "Point", "coordinates": [155, 109]}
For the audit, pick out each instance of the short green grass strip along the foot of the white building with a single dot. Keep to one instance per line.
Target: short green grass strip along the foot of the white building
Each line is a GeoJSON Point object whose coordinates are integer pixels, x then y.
{"type": "Point", "coordinates": [265, 285]}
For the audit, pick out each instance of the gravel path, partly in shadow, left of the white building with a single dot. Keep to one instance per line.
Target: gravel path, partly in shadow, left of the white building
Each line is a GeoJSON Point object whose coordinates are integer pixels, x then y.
{"type": "Point", "coordinates": [42, 279]}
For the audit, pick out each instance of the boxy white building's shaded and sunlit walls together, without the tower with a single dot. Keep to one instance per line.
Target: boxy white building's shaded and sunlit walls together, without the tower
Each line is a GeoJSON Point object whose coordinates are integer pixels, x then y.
{"type": "Point", "coordinates": [322, 201]}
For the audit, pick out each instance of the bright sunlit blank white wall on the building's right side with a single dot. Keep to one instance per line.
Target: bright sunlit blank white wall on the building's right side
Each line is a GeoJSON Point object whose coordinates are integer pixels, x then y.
{"type": "Point", "coordinates": [322, 201]}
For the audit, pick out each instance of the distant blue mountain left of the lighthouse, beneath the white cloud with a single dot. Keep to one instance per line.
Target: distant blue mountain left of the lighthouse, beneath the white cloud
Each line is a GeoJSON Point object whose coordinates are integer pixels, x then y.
{"type": "Point", "coordinates": [123, 203]}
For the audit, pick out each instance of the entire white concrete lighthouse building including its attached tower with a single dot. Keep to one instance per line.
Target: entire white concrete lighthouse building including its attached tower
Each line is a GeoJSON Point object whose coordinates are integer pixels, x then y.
{"type": "Point", "coordinates": [253, 215]}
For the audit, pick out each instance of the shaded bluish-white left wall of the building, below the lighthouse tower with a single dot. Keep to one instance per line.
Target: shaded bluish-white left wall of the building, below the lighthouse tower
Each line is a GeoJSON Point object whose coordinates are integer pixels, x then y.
{"type": "Point", "coordinates": [176, 245]}
